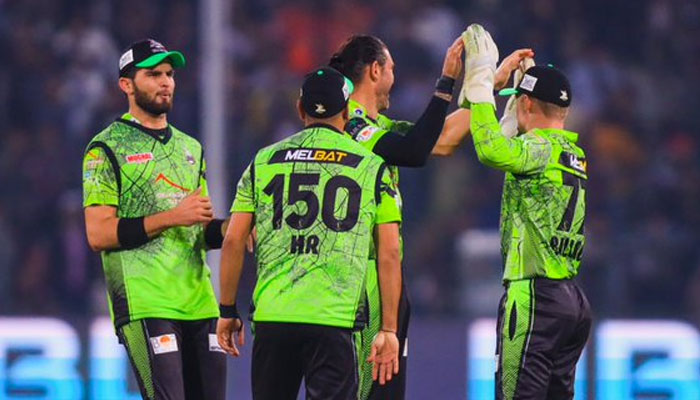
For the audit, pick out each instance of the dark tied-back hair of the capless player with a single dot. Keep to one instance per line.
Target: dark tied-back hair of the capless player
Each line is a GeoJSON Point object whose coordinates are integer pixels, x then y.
{"type": "Point", "coordinates": [357, 52]}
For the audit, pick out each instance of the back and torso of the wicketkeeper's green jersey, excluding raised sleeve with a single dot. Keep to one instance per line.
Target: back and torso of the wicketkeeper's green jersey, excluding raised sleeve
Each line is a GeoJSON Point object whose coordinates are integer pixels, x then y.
{"type": "Point", "coordinates": [542, 214]}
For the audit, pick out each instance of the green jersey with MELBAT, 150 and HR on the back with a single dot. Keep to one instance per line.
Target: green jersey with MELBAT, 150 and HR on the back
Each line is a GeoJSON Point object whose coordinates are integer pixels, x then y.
{"type": "Point", "coordinates": [317, 197]}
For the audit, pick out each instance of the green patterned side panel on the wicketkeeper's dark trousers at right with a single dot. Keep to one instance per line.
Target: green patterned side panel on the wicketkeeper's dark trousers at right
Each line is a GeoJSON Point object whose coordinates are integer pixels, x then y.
{"type": "Point", "coordinates": [518, 321]}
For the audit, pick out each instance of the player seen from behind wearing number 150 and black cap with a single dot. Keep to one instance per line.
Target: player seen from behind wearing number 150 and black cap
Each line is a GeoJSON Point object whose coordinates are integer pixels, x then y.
{"type": "Point", "coordinates": [321, 204]}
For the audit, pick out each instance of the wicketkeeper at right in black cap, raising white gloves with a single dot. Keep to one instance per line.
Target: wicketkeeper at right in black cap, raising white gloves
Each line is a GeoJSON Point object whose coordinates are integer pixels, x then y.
{"type": "Point", "coordinates": [544, 318]}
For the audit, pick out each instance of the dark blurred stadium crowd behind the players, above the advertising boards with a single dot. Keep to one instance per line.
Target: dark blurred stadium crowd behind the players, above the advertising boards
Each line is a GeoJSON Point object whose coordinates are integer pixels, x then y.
{"type": "Point", "coordinates": [633, 66]}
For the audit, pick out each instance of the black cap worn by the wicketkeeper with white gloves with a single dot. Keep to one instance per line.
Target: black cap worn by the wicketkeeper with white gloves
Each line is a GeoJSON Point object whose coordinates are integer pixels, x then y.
{"type": "Point", "coordinates": [543, 83]}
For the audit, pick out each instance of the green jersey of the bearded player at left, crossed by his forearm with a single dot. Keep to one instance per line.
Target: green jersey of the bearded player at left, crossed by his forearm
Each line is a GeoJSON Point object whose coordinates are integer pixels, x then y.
{"type": "Point", "coordinates": [141, 173]}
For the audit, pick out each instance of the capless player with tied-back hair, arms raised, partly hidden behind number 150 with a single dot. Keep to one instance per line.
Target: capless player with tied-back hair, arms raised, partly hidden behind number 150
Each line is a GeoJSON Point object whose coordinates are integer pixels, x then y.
{"type": "Point", "coordinates": [366, 60]}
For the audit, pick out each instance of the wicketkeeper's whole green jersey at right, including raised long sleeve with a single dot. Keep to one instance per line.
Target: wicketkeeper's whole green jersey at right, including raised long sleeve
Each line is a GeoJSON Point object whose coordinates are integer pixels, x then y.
{"type": "Point", "coordinates": [544, 196]}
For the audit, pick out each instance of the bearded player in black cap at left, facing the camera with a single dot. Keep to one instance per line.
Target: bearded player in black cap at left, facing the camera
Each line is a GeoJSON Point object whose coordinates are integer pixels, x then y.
{"type": "Point", "coordinates": [147, 212]}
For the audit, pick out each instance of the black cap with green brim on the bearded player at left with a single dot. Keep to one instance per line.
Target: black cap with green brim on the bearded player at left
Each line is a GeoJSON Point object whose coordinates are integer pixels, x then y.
{"type": "Point", "coordinates": [148, 54]}
